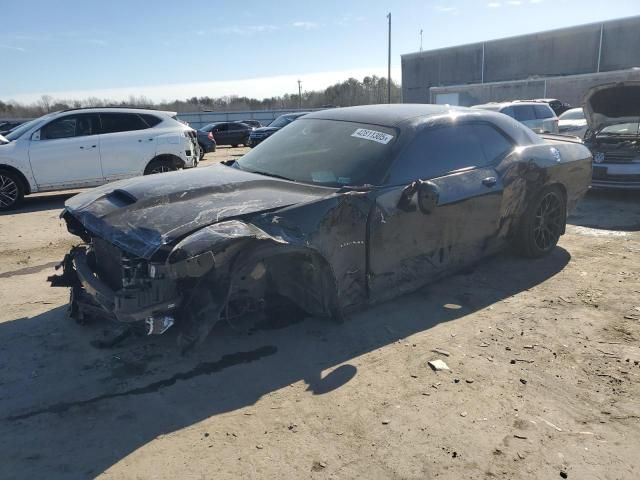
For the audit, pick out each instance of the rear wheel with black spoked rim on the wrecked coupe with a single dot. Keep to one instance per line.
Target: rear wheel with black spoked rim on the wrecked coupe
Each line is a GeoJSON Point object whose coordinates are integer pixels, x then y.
{"type": "Point", "coordinates": [543, 223]}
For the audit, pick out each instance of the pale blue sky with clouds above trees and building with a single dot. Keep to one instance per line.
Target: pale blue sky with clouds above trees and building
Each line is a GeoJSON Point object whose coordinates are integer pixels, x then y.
{"type": "Point", "coordinates": [167, 49]}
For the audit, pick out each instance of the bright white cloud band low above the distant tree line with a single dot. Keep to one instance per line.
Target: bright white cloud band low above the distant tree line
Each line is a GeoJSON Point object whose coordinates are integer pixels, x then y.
{"type": "Point", "coordinates": [255, 87]}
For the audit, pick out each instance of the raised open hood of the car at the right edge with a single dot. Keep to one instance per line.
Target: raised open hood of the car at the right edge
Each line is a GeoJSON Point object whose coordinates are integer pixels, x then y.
{"type": "Point", "coordinates": [612, 103]}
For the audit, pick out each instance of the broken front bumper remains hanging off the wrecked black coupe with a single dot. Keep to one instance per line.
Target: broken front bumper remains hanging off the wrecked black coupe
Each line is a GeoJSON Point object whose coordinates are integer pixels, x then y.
{"type": "Point", "coordinates": [153, 302]}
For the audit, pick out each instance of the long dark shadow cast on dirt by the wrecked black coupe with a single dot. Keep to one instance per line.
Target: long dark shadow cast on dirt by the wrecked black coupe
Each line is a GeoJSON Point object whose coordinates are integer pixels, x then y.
{"type": "Point", "coordinates": [72, 411]}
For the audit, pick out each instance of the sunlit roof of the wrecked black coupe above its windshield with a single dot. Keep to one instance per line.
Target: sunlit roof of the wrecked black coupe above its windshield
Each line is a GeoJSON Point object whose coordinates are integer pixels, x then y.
{"type": "Point", "coordinates": [384, 114]}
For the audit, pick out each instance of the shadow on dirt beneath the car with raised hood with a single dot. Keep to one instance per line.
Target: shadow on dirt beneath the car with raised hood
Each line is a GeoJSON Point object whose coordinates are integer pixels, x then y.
{"type": "Point", "coordinates": [608, 210]}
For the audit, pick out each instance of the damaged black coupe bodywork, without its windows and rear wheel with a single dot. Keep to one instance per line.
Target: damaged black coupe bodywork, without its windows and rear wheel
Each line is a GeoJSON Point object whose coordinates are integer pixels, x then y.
{"type": "Point", "coordinates": [228, 234]}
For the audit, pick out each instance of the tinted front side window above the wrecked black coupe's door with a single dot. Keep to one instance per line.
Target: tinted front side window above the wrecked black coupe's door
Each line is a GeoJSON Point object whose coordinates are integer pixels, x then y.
{"type": "Point", "coordinates": [438, 151]}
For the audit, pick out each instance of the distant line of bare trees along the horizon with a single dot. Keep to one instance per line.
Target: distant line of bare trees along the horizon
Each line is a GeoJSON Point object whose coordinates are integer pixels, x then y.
{"type": "Point", "coordinates": [372, 89]}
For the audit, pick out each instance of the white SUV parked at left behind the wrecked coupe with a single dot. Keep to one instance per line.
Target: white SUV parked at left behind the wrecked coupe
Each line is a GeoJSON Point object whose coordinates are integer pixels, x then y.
{"type": "Point", "coordinates": [89, 147]}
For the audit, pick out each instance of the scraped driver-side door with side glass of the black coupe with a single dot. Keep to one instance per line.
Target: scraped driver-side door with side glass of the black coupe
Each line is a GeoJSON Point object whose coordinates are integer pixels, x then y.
{"type": "Point", "coordinates": [409, 248]}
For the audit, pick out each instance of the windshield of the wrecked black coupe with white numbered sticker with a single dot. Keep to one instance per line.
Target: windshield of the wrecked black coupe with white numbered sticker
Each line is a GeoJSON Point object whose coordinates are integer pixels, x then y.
{"type": "Point", "coordinates": [324, 152]}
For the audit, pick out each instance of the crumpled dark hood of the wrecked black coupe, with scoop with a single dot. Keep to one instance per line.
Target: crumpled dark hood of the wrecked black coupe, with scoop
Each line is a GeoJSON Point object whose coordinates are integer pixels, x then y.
{"type": "Point", "coordinates": [142, 214]}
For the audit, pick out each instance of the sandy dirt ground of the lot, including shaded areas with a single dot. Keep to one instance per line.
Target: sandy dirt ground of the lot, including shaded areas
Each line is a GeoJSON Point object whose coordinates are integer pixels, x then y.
{"type": "Point", "coordinates": [544, 379]}
